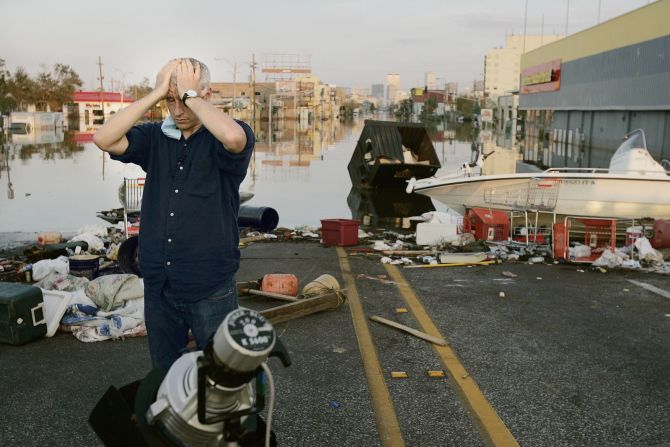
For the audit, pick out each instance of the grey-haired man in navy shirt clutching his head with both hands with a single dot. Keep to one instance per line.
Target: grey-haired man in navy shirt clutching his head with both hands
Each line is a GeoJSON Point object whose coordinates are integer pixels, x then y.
{"type": "Point", "coordinates": [195, 161]}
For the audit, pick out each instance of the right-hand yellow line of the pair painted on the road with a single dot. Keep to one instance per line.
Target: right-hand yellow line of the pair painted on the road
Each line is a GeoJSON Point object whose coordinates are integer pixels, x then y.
{"type": "Point", "coordinates": [488, 421]}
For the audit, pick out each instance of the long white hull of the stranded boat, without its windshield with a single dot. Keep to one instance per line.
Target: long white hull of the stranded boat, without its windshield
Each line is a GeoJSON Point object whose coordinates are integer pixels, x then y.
{"type": "Point", "coordinates": [592, 195]}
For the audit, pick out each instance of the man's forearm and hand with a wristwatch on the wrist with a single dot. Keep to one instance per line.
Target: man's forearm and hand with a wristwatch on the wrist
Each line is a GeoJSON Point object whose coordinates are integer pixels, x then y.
{"type": "Point", "coordinates": [224, 128]}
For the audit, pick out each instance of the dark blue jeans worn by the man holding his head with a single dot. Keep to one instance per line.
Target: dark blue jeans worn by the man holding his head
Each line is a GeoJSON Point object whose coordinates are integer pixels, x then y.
{"type": "Point", "coordinates": [169, 318]}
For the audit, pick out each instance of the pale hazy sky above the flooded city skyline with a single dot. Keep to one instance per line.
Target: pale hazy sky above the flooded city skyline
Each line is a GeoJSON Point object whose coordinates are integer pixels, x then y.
{"type": "Point", "coordinates": [352, 43]}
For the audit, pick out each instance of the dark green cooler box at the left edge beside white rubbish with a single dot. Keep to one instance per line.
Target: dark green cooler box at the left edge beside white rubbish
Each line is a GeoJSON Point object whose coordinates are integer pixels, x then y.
{"type": "Point", "coordinates": [22, 316]}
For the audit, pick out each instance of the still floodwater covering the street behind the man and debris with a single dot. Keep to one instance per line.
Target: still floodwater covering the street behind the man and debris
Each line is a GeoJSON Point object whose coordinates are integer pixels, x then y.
{"type": "Point", "coordinates": [57, 181]}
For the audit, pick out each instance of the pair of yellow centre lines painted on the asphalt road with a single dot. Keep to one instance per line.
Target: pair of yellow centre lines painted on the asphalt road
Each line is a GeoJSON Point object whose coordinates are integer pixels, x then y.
{"type": "Point", "coordinates": [487, 420]}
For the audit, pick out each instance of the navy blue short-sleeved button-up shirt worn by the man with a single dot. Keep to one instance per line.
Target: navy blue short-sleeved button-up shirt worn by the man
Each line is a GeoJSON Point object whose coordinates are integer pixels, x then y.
{"type": "Point", "coordinates": [188, 230]}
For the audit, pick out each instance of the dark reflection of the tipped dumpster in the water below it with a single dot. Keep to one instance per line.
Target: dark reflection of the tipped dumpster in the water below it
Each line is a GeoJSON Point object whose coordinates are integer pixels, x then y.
{"type": "Point", "coordinates": [387, 207]}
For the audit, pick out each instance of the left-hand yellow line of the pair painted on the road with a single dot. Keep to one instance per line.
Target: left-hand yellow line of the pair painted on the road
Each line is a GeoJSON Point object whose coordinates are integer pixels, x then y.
{"type": "Point", "coordinates": [387, 420]}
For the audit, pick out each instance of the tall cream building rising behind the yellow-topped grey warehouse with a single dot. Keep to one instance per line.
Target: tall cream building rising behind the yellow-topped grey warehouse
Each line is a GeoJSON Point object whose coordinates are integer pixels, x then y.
{"type": "Point", "coordinates": [501, 65]}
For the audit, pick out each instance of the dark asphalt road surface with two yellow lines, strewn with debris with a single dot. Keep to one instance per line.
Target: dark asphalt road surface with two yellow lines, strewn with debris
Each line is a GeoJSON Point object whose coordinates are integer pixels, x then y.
{"type": "Point", "coordinates": [565, 358]}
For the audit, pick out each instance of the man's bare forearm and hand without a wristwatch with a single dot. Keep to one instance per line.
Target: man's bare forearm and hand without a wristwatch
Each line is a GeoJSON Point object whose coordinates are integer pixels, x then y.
{"type": "Point", "coordinates": [111, 137]}
